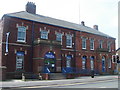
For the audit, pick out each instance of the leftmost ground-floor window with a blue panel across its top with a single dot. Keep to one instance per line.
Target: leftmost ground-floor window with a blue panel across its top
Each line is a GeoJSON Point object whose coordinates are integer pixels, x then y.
{"type": "Point", "coordinates": [19, 60]}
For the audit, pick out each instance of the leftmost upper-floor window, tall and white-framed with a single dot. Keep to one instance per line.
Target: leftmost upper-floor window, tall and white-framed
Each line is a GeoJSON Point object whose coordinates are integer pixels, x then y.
{"type": "Point", "coordinates": [21, 34]}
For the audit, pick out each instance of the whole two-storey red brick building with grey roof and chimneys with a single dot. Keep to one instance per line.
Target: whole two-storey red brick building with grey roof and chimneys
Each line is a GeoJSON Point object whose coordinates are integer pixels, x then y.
{"type": "Point", "coordinates": [34, 43]}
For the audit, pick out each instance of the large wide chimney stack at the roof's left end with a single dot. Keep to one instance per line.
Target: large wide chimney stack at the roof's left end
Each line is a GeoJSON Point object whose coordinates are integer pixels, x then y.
{"type": "Point", "coordinates": [31, 7]}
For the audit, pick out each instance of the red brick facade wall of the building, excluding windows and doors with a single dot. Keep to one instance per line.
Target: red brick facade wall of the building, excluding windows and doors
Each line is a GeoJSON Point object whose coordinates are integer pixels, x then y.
{"type": "Point", "coordinates": [40, 50]}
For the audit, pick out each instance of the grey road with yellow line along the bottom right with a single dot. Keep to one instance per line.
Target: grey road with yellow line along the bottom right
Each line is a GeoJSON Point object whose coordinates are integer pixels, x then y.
{"type": "Point", "coordinates": [112, 84]}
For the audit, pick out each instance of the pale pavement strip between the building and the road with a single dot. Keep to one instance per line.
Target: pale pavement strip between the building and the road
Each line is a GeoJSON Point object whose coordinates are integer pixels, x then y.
{"type": "Point", "coordinates": [30, 83]}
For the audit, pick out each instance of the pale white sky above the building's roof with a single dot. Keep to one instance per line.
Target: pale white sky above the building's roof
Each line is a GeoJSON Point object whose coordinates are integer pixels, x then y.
{"type": "Point", "coordinates": [103, 13]}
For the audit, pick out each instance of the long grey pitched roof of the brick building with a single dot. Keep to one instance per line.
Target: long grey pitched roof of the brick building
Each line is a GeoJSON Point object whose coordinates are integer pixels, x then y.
{"type": "Point", "coordinates": [48, 20]}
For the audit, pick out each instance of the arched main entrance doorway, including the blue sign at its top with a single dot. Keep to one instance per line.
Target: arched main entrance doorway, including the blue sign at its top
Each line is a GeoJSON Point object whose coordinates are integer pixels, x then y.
{"type": "Point", "coordinates": [50, 62]}
